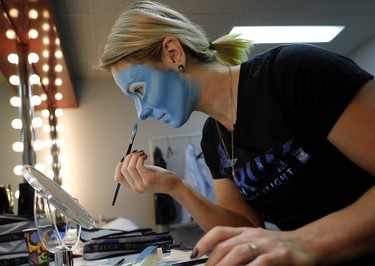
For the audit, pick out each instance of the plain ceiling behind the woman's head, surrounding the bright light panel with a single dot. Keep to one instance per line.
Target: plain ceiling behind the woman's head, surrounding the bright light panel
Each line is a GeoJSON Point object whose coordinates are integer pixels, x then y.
{"type": "Point", "coordinates": [84, 24]}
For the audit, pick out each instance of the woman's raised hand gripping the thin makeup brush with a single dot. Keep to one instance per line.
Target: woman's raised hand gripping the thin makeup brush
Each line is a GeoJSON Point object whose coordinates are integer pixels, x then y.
{"type": "Point", "coordinates": [141, 178]}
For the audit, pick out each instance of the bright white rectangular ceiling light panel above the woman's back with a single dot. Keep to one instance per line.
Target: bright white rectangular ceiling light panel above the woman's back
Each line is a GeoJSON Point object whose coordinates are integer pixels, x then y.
{"type": "Point", "coordinates": [288, 34]}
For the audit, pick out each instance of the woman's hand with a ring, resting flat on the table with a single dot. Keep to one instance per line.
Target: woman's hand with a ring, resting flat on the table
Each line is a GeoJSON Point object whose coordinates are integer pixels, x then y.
{"type": "Point", "coordinates": [253, 246]}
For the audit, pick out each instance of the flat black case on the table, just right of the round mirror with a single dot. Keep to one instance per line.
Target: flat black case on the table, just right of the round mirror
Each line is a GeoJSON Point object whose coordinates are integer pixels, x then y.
{"type": "Point", "coordinates": [118, 243]}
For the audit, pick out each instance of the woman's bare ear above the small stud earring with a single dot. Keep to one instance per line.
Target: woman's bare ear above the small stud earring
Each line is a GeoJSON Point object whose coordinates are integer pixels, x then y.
{"type": "Point", "coordinates": [173, 55]}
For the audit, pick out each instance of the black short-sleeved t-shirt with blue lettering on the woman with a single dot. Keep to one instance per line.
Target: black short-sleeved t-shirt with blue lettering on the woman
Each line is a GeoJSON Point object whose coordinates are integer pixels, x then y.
{"type": "Point", "coordinates": [289, 98]}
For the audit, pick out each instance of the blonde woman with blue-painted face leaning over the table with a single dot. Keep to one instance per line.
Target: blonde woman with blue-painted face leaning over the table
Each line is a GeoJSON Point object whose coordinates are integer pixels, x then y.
{"type": "Point", "coordinates": [289, 139]}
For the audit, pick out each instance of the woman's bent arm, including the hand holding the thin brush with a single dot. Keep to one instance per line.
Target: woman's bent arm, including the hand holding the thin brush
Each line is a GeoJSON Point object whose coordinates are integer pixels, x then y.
{"type": "Point", "coordinates": [231, 209]}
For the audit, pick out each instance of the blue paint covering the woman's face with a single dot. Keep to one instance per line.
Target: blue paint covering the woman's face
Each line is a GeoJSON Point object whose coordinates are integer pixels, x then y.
{"type": "Point", "coordinates": [163, 94]}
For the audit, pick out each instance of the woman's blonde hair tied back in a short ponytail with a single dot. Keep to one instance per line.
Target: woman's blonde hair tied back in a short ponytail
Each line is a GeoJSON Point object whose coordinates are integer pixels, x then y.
{"type": "Point", "coordinates": [140, 30]}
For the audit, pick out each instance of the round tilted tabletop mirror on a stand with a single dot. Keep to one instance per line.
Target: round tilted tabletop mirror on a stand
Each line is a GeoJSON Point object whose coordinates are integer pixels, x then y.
{"type": "Point", "coordinates": [58, 216]}
